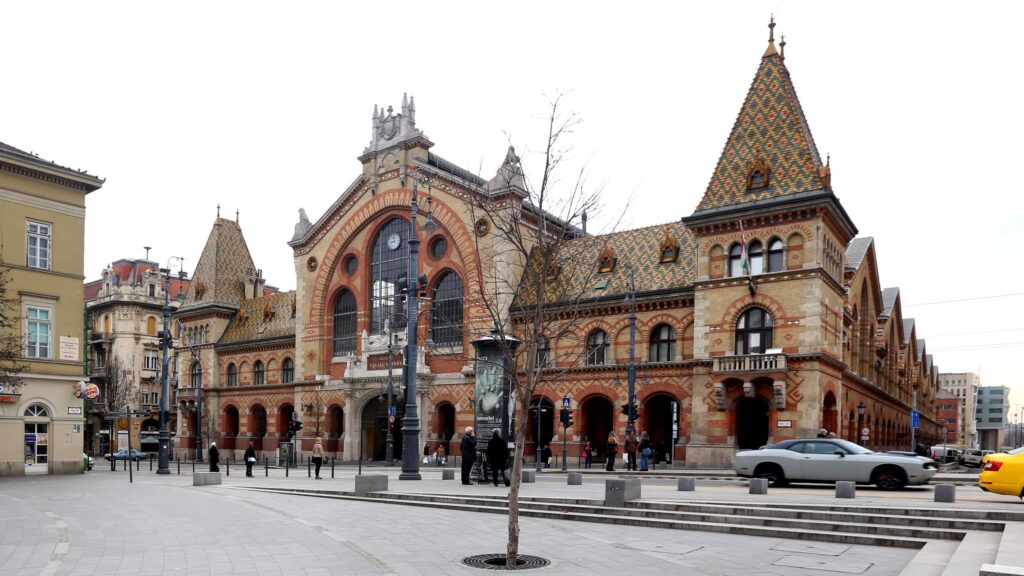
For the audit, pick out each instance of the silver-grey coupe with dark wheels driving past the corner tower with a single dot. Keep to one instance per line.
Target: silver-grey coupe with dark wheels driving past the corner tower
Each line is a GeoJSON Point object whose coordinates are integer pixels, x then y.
{"type": "Point", "coordinates": [833, 461]}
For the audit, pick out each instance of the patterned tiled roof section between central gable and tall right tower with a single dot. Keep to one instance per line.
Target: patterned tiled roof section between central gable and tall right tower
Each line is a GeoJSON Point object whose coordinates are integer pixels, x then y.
{"type": "Point", "coordinates": [578, 264]}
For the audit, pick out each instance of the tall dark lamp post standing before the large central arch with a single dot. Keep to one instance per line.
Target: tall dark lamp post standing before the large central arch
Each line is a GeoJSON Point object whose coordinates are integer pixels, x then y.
{"type": "Point", "coordinates": [411, 422]}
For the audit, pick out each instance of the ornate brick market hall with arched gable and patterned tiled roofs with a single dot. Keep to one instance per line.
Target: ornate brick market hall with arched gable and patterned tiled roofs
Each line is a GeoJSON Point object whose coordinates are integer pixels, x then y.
{"type": "Point", "coordinates": [761, 315]}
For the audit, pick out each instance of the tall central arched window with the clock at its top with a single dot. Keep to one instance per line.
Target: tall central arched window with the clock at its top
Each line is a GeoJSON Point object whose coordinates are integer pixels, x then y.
{"type": "Point", "coordinates": [391, 262]}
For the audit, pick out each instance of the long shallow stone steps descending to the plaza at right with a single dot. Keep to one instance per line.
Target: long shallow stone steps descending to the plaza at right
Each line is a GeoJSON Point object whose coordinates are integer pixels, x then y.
{"type": "Point", "coordinates": [951, 542]}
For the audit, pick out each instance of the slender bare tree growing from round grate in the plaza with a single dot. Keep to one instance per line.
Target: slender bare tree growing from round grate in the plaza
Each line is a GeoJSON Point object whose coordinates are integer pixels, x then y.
{"type": "Point", "coordinates": [541, 273]}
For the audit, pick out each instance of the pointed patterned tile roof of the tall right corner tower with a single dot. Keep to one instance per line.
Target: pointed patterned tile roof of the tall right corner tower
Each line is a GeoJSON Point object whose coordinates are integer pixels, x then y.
{"type": "Point", "coordinates": [772, 128]}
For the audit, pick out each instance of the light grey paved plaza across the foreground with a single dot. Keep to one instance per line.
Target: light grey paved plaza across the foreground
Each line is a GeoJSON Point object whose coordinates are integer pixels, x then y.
{"type": "Point", "coordinates": [101, 524]}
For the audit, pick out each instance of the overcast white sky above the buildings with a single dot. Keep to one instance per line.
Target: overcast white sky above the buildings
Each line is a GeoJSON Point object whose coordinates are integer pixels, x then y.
{"type": "Point", "coordinates": [265, 108]}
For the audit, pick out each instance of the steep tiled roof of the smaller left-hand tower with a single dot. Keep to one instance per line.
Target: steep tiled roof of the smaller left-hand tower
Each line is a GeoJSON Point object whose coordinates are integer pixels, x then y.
{"type": "Point", "coordinates": [220, 277]}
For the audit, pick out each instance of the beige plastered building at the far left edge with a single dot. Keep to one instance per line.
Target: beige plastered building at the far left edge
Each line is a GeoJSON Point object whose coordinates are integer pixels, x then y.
{"type": "Point", "coordinates": [42, 233]}
